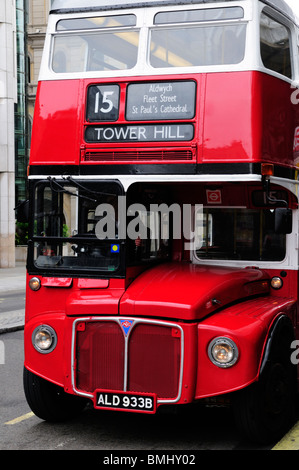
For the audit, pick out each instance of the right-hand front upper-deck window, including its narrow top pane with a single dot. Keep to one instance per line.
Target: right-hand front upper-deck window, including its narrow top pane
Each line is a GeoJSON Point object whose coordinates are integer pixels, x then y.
{"type": "Point", "coordinates": [178, 40]}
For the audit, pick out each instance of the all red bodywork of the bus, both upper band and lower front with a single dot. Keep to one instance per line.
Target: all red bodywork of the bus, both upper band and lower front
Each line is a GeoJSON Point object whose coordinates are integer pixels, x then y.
{"type": "Point", "coordinates": [188, 305]}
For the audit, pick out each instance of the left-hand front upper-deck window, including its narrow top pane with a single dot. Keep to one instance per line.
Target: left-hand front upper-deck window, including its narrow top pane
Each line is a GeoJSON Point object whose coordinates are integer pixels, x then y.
{"type": "Point", "coordinates": [100, 44]}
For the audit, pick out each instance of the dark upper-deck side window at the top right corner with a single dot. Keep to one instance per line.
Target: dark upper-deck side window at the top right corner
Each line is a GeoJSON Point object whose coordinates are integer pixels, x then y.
{"type": "Point", "coordinates": [275, 46]}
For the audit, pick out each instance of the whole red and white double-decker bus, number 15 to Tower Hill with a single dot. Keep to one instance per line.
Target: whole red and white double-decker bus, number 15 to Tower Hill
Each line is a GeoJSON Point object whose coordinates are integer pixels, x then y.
{"type": "Point", "coordinates": [163, 211]}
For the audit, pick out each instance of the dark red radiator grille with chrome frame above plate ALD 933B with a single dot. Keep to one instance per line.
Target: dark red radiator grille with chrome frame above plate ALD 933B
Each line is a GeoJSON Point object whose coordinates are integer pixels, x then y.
{"type": "Point", "coordinates": [130, 355]}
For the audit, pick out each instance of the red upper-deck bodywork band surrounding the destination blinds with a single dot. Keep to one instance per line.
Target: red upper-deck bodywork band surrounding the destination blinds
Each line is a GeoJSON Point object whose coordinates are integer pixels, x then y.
{"type": "Point", "coordinates": [264, 134]}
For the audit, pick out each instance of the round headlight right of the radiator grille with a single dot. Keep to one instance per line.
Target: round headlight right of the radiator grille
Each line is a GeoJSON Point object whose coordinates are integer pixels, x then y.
{"type": "Point", "coordinates": [223, 352]}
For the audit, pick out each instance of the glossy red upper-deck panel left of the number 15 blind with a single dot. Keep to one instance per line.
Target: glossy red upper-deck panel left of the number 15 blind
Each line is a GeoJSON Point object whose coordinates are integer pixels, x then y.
{"type": "Point", "coordinates": [56, 127]}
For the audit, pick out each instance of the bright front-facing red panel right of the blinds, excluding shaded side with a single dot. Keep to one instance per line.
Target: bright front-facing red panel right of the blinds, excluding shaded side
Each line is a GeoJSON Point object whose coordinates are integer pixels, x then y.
{"type": "Point", "coordinates": [229, 96]}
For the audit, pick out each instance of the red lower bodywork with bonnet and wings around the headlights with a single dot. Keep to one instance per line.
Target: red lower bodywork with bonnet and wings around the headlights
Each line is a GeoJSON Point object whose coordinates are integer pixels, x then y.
{"type": "Point", "coordinates": [244, 312]}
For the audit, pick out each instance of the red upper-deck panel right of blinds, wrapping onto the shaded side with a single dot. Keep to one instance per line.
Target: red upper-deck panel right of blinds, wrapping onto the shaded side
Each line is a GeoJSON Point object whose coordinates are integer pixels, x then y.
{"type": "Point", "coordinates": [269, 119]}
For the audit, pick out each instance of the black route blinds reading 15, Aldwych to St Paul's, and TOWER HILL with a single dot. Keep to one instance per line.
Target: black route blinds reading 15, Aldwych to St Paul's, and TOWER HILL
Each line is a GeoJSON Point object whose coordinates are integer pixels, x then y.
{"type": "Point", "coordinates": [155, 101]}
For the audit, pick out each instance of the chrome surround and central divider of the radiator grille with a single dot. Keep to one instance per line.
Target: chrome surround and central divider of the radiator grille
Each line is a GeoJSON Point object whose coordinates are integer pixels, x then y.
{"type": "Point", "coordinates": [135, 321]}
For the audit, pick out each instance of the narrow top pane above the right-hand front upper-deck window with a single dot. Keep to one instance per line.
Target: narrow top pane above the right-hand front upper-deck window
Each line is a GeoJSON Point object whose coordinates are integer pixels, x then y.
{"type": "Point", "coordinates": [195, 16]}
